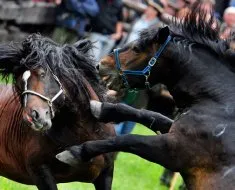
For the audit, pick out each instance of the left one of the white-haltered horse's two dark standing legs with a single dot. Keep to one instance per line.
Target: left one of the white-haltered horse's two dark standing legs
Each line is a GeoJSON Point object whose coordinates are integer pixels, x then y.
{"type": "Point", "coordinates": [43, 178]}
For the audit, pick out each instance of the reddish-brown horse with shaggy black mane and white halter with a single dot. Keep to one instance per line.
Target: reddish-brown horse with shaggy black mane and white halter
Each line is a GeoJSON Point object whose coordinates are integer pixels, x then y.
{"type": "Point", "coordinates": [46, 109]}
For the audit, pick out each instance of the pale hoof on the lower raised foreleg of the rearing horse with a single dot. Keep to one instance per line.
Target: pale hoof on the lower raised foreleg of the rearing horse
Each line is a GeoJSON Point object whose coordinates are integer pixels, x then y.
{"type": "Point", "coordinates": [68, 158]}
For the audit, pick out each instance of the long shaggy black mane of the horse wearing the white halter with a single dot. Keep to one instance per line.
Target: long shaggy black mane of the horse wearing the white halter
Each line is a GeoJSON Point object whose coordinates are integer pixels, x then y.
{"type": "Point", "coordinates": [72, 64]}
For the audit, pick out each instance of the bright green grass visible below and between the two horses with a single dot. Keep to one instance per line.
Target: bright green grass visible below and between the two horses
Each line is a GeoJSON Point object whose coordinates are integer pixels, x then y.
{"type": "Point", "coordinates": [131, 173]}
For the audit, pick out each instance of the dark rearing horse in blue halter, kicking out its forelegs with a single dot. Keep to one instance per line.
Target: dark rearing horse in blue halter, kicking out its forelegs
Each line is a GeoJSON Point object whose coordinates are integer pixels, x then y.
{"type": "Point", "coordinates": [198, 69]}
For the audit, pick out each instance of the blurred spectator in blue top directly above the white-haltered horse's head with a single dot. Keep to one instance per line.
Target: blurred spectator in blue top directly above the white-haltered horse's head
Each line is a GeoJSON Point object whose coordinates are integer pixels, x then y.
{"type": "Point", "coordinates": [72, 18]}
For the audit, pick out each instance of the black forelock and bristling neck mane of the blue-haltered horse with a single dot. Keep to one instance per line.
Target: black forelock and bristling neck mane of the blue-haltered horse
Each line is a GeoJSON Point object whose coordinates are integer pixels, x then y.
{"type": "Point", "coordinates": [195, 28]}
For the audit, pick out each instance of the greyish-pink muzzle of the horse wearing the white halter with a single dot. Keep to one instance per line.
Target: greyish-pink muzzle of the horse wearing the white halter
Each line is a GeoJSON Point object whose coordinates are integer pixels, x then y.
{"type": "Point", "coordinates": [38, 119]}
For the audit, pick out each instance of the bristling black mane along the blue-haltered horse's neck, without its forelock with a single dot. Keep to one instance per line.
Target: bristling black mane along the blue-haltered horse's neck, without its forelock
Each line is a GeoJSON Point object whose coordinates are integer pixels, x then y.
{"type": "Point", "coordinates": [200, 28]}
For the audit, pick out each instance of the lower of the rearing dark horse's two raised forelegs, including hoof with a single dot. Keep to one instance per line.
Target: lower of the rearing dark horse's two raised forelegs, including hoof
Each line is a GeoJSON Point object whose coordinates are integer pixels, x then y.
{"type": "Point", "coordinates": [158, 149]}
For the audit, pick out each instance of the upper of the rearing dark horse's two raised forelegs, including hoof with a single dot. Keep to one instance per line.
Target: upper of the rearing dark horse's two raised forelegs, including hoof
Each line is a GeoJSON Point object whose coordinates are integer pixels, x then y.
{"type": "Point", "coordinates": [107, 112]}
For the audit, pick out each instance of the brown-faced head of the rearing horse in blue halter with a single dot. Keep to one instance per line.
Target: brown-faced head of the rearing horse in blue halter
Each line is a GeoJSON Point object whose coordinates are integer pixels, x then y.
{"type": "Point", "coordinates": [132, 65]}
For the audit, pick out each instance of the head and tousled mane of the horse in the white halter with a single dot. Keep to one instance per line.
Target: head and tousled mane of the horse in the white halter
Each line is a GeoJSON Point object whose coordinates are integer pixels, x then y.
{"type": "Point", "coordinates": [47, 77]}
